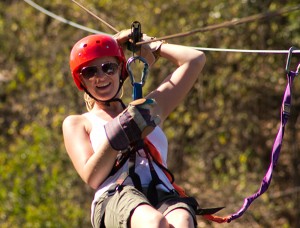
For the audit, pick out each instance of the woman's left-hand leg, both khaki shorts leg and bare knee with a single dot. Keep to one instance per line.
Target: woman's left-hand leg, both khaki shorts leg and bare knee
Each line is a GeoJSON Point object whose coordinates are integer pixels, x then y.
{"type": "Point", "coordinates": [128, 208]}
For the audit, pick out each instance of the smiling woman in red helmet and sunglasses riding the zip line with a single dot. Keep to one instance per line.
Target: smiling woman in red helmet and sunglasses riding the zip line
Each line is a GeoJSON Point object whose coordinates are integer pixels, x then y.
{"type": "Point", "coordinates": [96, 140]}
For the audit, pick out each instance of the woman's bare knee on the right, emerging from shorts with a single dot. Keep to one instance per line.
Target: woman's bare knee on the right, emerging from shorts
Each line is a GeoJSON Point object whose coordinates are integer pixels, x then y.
{"type": "Point", "coordinates": [180, 218]}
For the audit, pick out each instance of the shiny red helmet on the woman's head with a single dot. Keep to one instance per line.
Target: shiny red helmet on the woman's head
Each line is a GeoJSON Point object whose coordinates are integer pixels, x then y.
{"type": "Point", "coordinates": [92, 47]}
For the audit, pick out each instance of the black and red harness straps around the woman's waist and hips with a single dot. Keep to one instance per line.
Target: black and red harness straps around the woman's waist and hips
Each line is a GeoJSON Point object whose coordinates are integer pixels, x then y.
{"type": "Point", "coordinates": [152, 193]}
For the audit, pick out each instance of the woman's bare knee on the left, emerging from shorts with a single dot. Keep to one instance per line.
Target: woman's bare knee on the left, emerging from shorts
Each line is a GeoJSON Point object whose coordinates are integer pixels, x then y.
{"type": "Point", "coordinates": [146, 216]}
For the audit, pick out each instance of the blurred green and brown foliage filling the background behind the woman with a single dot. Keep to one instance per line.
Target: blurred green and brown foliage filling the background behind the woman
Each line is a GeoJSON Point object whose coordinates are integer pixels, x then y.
{"type": "Point", "coordinates": [220, 137]}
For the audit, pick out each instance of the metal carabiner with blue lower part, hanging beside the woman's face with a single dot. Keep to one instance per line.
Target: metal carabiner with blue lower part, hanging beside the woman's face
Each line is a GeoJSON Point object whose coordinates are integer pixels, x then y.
{"type": "Point", "coordinates": [137, 86]}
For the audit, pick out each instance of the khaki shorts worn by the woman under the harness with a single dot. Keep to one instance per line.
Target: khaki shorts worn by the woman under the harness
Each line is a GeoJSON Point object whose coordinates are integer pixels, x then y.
{"type": "Point", "coordinates": [122, 204]}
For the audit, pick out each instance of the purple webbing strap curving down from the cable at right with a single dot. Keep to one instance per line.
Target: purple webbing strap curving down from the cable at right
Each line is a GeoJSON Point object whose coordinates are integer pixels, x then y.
{"type": "Point", "coordinates": [285, 113]}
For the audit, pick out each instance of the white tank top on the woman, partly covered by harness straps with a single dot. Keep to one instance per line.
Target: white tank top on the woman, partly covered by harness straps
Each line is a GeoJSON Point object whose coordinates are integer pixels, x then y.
{"type": "Point", "coordinates": [157, 138]}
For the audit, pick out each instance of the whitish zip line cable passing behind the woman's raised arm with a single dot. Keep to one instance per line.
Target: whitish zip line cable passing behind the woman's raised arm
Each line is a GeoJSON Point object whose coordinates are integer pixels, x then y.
{"type": "Point", "coordinates": [63, 20]}
